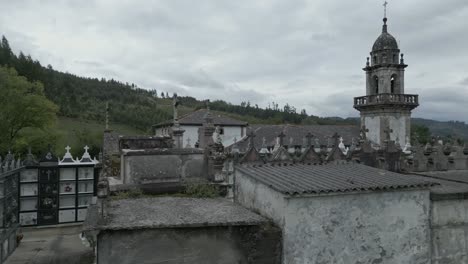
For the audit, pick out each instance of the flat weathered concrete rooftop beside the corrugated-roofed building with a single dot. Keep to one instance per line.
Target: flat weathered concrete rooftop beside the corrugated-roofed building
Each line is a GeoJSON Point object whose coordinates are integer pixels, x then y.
{"type": "Point", "coordinates": [168, 212]}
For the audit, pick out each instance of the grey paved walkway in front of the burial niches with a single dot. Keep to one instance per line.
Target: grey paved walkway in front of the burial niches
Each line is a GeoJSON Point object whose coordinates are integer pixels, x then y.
{"type": "Point", "coordinates": [52, 245]}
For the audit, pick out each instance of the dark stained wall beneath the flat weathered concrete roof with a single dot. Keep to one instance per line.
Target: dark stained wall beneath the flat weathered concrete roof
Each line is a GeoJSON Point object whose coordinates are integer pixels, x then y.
{"type": "Point", "coordinates": [210, 245]}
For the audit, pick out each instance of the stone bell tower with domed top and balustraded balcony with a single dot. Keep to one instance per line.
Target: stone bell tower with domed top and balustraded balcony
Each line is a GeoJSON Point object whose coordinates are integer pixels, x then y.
{"type": "Point", "coordinates": [386, 109]}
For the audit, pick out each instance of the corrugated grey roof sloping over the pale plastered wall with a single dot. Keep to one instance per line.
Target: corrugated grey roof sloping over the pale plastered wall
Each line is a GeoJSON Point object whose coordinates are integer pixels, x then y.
{"type": "Point", "coordinates": [298, 179]}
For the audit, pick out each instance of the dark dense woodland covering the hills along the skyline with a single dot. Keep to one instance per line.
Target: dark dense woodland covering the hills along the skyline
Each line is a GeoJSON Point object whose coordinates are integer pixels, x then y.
{"type": "Point", "coordinates": [85, 99]}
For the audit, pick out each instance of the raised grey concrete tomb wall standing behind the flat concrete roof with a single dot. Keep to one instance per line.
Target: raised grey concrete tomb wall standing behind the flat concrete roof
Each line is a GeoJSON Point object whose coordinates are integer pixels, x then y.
{"type": "Point", "coordinates": [174, 166]}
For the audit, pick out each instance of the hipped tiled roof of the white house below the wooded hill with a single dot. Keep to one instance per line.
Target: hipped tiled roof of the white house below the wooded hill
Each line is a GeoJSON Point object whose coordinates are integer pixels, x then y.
{"type": "Point", "coordinates": [196, 118]}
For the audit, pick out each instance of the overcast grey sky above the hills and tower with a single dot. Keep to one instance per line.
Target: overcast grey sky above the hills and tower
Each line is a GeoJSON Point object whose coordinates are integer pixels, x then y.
{"type": "Point", "coordinates": [309, 54]}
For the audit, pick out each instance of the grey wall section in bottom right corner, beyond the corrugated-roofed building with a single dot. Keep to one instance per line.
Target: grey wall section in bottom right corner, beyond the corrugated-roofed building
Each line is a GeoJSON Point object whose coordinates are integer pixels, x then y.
{"type": "Point", "coordinates": [449, 231]}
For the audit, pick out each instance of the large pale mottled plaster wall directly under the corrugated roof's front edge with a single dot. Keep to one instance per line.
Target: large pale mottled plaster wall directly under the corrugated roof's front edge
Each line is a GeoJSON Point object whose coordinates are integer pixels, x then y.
{"type": "Point", "coordinates": [378, 227]}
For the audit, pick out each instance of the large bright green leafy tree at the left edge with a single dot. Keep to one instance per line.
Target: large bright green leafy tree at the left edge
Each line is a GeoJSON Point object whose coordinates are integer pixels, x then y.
{"type": "Point", "coordinates": [23, 105]}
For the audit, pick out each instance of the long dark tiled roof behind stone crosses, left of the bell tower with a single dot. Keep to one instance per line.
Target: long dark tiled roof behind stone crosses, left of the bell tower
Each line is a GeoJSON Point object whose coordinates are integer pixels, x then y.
{"type": "Point", "coordinates": [298, 132]}
